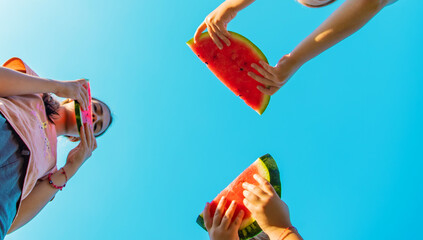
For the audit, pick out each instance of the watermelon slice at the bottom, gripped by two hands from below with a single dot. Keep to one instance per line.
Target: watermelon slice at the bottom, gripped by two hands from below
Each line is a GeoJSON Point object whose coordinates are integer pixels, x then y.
{"type": "Point", "coordinates": [264, 166]}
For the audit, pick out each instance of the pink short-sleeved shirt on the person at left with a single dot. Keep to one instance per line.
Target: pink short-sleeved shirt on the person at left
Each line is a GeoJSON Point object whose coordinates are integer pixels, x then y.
{"type": "Point", "coordinates": [26, 114]}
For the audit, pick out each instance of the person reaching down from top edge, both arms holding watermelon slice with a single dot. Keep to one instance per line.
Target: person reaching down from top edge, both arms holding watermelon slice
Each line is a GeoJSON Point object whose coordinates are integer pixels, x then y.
{"type": "Point", "coordinates": [347, 19]}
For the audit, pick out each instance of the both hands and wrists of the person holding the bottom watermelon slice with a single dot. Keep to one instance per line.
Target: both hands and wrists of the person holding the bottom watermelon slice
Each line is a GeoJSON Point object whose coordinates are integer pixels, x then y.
{"type": "Point", "coordinates": [270, 212]}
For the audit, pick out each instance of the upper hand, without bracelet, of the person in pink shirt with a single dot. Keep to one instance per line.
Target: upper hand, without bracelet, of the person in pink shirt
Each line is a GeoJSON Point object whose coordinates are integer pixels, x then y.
{"type": "Point", "coordinates": [74, 90]}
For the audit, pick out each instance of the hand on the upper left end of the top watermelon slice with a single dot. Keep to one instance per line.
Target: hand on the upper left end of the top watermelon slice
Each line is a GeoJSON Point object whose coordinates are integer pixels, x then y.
{"type": "Point", "coordinates": [216, 23]}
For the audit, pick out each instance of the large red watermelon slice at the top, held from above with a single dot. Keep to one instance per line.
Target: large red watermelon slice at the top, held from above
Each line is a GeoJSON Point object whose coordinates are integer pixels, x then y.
{"type": "Point", "coordinates": [231, 65]}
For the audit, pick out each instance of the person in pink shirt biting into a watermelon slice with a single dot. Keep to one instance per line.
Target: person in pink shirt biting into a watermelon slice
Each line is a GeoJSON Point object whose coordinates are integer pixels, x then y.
{"type": "Point", "coordinates": [30, 122]}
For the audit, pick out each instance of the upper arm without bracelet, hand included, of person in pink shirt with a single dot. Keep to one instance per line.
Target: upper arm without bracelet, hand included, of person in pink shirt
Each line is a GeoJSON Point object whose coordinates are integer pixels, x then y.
{"type": "Point", "coordinates": [13, 83]}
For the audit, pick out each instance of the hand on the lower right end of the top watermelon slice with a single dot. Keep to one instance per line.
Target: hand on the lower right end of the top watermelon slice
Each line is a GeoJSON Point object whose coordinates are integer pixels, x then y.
{"type": "Point", "coordinates": [274, 77]}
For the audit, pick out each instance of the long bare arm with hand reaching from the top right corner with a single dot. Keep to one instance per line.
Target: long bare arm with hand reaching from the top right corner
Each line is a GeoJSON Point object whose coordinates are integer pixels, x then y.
{"type": "Point", "coordinates": [346, 20]}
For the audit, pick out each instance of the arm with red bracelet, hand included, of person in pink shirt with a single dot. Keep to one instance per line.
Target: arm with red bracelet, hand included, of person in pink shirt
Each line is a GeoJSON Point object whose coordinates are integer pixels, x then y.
{"type": "Point", "coordinates": [43, 192]}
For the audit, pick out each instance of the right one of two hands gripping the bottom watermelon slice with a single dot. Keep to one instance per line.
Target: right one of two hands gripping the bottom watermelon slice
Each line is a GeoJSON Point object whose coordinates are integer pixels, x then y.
{"type": "Point", "coordinates": [270, 212]}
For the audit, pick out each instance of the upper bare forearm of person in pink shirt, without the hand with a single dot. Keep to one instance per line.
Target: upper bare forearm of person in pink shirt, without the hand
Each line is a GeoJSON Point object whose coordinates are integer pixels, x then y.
{"type": "Point", "coordinates": [14, 83]}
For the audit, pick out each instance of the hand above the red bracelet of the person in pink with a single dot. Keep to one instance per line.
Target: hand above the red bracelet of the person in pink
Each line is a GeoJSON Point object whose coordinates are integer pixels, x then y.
{"type": "Point", "coordinates": [83, 151]}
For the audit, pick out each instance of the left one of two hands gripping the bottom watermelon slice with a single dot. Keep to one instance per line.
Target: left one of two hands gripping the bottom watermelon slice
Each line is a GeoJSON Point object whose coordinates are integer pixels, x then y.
{"type": "Point", "coordinates": [221, 226]}
